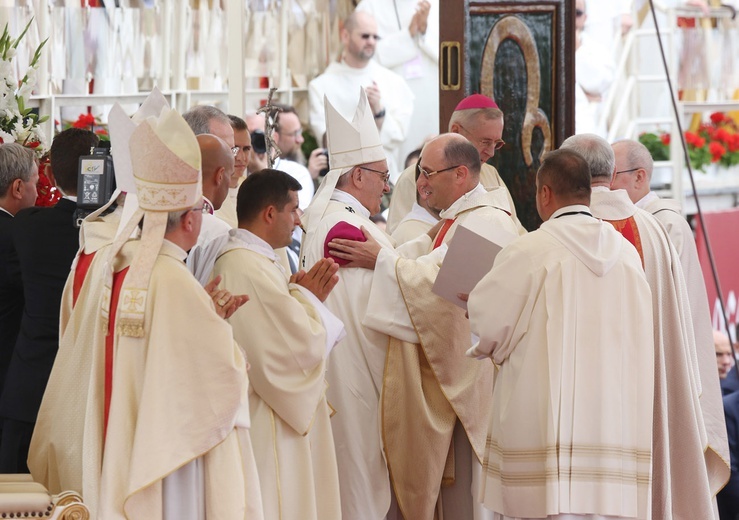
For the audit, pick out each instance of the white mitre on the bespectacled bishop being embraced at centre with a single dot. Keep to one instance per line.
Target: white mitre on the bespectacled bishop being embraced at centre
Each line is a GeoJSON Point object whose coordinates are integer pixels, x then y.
{"type": "Point", "coordinates": [349, 145]}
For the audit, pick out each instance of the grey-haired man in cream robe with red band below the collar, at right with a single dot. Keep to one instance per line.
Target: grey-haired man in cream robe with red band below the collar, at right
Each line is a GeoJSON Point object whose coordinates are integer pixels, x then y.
{"type": "Point", "coordinates": [684, 477]}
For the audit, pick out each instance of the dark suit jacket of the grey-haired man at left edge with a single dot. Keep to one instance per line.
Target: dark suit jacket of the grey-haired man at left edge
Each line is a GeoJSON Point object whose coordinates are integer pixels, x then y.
{"type": "Point", "coordinates": [11, 294]}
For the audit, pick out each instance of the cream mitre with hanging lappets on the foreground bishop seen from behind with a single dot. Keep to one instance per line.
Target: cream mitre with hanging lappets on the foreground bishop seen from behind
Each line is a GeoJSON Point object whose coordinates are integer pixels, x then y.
{"type": "Point", "coordinates": [166, 163]}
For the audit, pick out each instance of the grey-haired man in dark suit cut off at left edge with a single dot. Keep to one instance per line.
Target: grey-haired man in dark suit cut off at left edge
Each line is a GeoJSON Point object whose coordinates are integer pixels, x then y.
{"type": "Point", "coordinates": [18, 178]}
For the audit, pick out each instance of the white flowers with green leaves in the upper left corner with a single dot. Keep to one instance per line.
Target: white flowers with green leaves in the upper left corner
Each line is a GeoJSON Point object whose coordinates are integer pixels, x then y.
{"type": "Point", "coordinates": [18, 123]}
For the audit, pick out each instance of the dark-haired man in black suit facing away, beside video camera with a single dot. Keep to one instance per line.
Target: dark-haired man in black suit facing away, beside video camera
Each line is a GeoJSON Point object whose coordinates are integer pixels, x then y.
{"type": "Point", "coordinates": [46, 240]}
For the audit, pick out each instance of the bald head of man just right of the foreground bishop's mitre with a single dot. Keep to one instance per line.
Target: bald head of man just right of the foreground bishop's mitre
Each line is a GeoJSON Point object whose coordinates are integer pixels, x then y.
{"type": "Point", "coordinates": [217, 167]}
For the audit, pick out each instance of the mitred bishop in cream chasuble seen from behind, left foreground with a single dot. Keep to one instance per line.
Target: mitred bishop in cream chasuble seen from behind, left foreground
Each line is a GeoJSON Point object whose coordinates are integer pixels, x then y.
{"type": "Point", "coordinates": [169, 410]}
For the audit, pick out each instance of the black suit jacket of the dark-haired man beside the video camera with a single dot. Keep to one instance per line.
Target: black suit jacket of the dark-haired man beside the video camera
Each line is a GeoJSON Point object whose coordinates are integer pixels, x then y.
{"type": "Point", "coordinates": [46, 241]}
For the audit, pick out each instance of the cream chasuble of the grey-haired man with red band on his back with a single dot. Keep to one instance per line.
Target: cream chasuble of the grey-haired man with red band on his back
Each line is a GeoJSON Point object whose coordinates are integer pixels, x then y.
{"type": "Point", "coordinates": [680, 481]}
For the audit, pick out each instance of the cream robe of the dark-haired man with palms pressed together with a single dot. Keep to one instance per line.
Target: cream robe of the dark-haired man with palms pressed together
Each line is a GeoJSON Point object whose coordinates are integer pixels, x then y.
{"type": "Point", "coordinates": [283, 335]}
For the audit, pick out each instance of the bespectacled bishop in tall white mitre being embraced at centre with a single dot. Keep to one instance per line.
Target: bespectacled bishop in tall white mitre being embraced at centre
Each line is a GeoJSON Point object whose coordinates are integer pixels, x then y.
{"type": "Point", "coordinates": [349, 194]}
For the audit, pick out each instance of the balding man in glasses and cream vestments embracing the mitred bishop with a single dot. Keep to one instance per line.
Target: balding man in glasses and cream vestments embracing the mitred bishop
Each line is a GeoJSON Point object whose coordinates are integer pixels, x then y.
{"type": "Point", "coordinates": [435, 404]}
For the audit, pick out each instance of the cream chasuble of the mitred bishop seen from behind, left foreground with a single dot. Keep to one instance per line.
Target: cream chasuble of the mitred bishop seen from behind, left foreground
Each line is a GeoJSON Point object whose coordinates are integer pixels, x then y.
{"type": "Point", "coordinates": [178, 394]}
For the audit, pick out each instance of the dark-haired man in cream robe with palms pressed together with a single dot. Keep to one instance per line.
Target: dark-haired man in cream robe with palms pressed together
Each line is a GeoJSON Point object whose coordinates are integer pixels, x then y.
{"type": "Point", "coordinates": [287, 334]}
